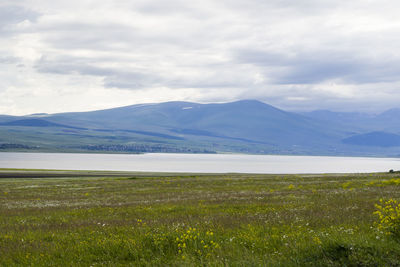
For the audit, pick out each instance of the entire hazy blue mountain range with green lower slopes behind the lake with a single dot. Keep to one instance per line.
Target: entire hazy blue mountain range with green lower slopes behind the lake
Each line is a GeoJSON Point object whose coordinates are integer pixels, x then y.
{"type": "Point", "coordinates": [246, 126]}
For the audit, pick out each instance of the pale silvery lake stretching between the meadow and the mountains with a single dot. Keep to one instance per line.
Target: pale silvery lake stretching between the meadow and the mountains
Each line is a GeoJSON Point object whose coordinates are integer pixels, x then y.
{"type": "Point", "coordinates": [211, 163]}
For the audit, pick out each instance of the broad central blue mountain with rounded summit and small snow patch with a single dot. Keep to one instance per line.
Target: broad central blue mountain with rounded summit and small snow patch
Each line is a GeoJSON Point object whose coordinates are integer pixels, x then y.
{"type": "Point", "coordinates": [248, 121]}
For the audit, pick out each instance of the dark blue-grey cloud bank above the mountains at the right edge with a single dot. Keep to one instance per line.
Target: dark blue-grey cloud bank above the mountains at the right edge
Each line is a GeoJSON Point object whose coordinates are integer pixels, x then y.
{"type": "Point", "coordinates": [318, 66]}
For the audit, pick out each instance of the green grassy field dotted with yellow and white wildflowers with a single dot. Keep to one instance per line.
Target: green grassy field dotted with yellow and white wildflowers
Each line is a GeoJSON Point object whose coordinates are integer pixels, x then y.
{"type": "Point", "coordinates": [119, 219]}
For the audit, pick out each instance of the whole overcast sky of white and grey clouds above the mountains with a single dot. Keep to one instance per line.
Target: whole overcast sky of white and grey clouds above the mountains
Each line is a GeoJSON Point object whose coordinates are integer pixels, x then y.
{"type": "Point", "coordinates": [78, 55]}
